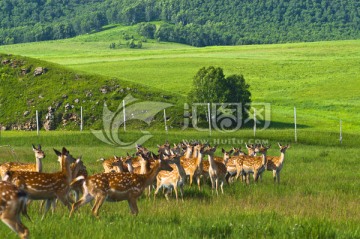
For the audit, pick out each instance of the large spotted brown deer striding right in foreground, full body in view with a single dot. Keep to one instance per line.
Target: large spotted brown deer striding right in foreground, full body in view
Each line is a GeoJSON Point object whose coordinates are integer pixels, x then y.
{"type": "Point", "coordinates": [116, 187]}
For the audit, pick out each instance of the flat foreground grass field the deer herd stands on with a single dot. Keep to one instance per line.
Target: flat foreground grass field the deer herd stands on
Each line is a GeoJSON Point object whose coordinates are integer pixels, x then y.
{"type": "Point", "coordinates": [317, 197]}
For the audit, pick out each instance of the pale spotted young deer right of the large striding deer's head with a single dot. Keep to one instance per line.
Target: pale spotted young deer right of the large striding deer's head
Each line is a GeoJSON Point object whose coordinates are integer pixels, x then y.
{"type": "Point", "coordinates": [172, 179]}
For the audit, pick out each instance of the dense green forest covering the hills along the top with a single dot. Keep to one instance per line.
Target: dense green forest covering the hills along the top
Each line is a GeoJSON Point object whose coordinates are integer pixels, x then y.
{"type": "Point", "coordinates": [194, 22]}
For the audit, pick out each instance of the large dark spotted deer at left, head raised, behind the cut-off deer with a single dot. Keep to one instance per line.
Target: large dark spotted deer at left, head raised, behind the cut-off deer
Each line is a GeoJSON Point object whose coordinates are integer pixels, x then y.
{"type": "Point", "coordinates": [45, 186]}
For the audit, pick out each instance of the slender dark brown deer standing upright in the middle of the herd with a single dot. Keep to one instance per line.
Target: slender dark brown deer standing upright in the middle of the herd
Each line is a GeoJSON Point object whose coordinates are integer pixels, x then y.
{"type": "Point", "coordinates": [217, 170]}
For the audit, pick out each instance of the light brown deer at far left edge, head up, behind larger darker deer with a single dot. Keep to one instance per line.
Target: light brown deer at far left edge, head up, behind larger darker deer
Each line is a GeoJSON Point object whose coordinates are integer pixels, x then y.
{"type": "Point", "coordinates": [30, 167]}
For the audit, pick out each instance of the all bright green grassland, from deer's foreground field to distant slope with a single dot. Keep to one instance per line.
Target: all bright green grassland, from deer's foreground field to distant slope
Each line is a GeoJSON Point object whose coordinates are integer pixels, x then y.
{"type": "Point", "coordinates": [318, 196]}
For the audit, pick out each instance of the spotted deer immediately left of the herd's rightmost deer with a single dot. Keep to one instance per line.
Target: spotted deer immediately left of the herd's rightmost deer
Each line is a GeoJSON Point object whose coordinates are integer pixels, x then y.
{"type": "Point", "coordinates": [255, 165]}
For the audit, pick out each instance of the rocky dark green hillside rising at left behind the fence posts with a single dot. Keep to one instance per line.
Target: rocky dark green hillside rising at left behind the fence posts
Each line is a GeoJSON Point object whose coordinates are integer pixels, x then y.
{"type": "Point", "coordinates": [58, 94]}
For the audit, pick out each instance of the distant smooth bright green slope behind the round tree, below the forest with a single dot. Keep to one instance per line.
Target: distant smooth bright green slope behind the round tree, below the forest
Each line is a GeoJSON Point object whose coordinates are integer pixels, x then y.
{"type": "Point", "coordinates": [318, 78]}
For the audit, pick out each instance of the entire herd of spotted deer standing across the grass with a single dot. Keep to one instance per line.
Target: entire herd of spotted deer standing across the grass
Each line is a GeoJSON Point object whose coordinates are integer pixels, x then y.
{"type": "Point", "coordinates": [126, 178]}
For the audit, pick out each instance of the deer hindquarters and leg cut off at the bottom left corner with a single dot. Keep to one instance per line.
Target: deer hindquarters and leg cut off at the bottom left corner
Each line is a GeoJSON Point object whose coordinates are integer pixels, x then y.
{"type": "Point", "coordinates": [12, 204]}
